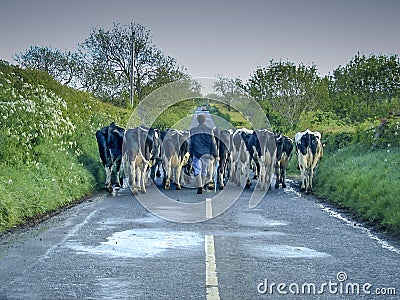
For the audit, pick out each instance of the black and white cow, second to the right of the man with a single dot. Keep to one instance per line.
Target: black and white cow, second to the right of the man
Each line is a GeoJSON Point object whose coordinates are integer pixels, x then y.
{"type": "Point", "coordinates": [240, 156]}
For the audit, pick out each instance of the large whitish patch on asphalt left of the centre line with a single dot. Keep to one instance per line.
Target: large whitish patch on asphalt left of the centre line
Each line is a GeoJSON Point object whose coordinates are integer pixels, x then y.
{"type": "Point", "coordinates": [141, 243]}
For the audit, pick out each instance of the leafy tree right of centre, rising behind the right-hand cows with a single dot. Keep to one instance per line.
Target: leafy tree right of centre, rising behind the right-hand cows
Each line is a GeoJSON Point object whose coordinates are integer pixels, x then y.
{"type": "Point", "coordinates": [286, 90]}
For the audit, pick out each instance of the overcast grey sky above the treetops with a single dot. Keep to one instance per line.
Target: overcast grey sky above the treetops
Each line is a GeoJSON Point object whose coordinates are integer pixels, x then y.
{"type": "Point", "coordinates": [209, 38]}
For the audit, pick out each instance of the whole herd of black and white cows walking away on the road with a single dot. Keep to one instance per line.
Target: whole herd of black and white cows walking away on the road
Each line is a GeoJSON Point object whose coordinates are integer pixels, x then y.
{"type": "Point", "coordinates": [142, 153]}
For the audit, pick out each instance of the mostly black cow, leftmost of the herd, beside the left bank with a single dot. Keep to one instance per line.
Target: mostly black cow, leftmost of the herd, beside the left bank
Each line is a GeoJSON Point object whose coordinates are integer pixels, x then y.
{"type": "Point", "coordinates": [109, 140]}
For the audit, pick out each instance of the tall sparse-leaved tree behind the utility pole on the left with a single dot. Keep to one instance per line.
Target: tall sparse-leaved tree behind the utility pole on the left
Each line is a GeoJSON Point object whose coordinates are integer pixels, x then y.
{"type": "Point", "coordinates": [107, 55]}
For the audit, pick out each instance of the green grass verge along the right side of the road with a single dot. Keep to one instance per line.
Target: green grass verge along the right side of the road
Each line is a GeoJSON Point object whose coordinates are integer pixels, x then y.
{"type": "Point", "coordinates": [367, 183]}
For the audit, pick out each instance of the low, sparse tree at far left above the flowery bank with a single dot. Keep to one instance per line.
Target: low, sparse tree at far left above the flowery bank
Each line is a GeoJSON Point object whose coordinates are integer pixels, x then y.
{"type": "Point", "coordinates": [65, 67]}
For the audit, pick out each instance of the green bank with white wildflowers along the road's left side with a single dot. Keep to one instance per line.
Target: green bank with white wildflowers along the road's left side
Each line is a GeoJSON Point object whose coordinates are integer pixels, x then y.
{"type": "Point", "coordinates": [48, 150]}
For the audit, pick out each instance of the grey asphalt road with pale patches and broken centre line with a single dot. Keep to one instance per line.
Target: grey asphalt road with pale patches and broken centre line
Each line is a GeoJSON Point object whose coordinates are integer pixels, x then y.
{"type": "Point", "coordinates": [113, 248]}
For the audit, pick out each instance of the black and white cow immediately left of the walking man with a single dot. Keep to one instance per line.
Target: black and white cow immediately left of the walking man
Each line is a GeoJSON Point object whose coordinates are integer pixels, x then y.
{"type": "Point", "coordinates": [175, 155]}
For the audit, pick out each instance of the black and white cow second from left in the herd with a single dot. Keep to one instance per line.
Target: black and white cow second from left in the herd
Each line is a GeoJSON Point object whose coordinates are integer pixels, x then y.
{"type": "Point", "coordinates": [141, 150]}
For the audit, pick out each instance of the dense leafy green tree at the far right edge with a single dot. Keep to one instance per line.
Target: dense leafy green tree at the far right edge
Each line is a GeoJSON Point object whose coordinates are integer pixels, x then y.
{"type": "Point", "coordinates": [366, 87]}
